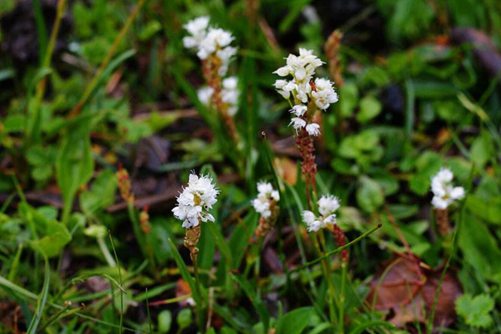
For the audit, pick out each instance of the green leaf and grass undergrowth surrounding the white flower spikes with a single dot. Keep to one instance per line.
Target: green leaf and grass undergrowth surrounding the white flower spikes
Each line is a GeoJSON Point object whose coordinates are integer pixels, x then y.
{"type": "Point", "coordinates": [86, 86]}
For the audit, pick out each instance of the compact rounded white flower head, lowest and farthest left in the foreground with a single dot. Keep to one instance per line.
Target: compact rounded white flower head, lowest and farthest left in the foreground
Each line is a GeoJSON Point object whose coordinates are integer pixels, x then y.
{"type": "Point", "coordinates": [195, 201]}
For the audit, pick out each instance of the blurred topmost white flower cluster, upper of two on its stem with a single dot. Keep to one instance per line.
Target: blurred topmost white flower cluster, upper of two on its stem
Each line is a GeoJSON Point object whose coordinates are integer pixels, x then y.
{"type": "Point", "coordinates": [207, 40]}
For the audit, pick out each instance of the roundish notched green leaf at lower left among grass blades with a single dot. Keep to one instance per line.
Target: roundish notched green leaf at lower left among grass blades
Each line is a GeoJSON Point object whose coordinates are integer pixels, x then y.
{"type": "Point", "coordinates": [56, 236]}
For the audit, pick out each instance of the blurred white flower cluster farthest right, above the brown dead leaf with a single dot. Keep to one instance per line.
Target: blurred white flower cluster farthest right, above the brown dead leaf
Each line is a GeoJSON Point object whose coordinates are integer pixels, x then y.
{"type": "Point", "coordinates": [443, 190]}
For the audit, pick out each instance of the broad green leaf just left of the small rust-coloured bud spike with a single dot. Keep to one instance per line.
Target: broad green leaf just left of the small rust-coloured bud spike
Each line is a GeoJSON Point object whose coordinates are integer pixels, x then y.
{"type": "Point", "coordinates": [101, 194]}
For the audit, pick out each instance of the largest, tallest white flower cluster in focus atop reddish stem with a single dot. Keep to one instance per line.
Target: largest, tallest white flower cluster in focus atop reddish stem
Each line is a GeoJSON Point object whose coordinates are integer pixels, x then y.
{"type": "Point", "coordinates": [303, 89]}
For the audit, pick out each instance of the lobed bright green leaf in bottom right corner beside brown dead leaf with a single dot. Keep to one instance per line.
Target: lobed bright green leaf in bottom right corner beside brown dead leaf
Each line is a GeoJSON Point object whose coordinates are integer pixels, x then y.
{"type": "Point", "coordinates": [475, 310]}
